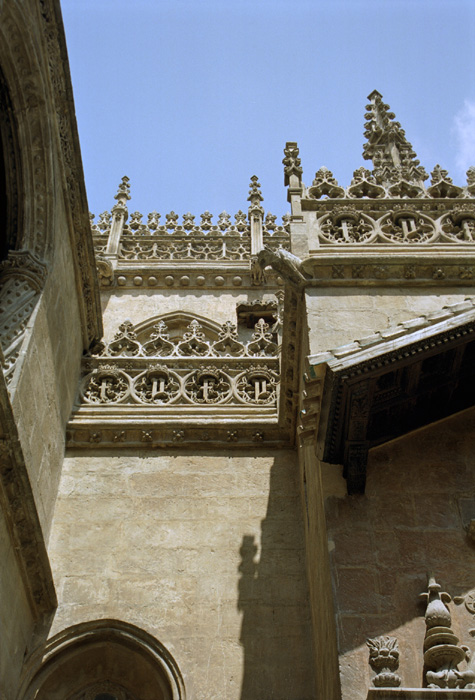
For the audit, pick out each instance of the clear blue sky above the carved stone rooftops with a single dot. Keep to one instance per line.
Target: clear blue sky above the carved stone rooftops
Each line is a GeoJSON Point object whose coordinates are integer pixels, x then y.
{"type": "Point", "coordinates": [189, 98]}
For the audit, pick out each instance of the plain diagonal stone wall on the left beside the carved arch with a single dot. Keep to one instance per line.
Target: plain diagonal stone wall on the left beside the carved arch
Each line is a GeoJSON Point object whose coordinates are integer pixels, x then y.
{"type": "Point", "coordinates": [47, 384]}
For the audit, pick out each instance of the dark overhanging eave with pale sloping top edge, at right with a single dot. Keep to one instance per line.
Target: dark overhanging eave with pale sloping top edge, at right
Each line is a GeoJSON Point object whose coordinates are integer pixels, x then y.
{"type": "Point", "coordinates": [378, 389]}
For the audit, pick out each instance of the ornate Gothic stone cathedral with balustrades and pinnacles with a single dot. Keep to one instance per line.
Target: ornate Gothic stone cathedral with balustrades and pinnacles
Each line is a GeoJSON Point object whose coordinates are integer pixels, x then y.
{"type": "Point", "coordinates": [236, 453]}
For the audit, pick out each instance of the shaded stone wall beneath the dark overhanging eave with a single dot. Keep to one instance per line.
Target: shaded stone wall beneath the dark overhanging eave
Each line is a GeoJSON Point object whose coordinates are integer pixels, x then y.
{"type": "Point", "coordinates": [419, 496]}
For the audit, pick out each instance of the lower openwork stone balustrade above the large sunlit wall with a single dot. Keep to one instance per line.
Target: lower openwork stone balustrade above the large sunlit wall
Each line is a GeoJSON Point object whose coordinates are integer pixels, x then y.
{"type": "Point", "coordinates": [189, 368]}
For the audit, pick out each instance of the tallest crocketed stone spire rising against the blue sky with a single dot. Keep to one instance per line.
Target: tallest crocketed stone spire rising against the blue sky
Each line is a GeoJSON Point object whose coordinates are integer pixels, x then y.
{"type": "Point", "coordinates": [392, 154]}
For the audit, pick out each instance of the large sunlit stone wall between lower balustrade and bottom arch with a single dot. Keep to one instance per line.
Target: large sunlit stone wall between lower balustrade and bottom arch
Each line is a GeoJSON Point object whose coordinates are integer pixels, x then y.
{"type": "Point", "coordinates": [204, 552]}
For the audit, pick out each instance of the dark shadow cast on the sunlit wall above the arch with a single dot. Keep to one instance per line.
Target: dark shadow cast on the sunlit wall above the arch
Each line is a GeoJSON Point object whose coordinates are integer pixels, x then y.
{"type": "Point", "coordinates": [273, 597]}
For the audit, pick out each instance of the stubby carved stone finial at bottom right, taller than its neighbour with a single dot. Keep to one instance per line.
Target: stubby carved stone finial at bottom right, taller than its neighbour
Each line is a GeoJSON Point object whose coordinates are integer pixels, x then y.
{"type": "Point", "coordinates": [441, 651]}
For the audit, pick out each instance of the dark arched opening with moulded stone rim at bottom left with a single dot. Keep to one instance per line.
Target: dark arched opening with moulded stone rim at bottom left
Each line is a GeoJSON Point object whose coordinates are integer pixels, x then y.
{"type": "Point", "coordinates": [103, 660]}
